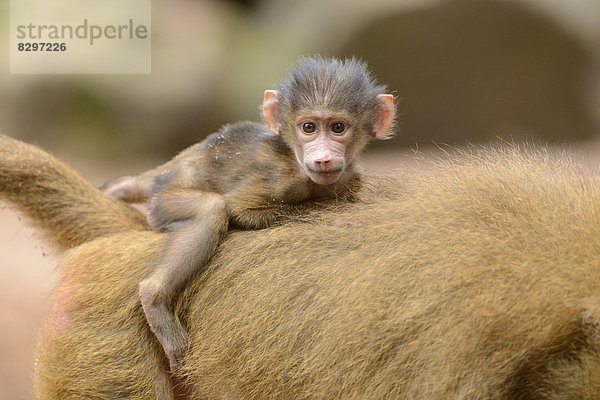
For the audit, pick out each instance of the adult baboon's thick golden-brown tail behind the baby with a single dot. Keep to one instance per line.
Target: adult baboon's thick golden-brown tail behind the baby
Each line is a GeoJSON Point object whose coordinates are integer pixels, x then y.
{"type": "Point", "coordinates": [68, 209]}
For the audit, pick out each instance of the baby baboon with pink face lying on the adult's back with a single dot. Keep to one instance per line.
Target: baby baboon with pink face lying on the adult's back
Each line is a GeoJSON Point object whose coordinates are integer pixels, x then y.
{"type": "Point", "coordinates": [317, 121]}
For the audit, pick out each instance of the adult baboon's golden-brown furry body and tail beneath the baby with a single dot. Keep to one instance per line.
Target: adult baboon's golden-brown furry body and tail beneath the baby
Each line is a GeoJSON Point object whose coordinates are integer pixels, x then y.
{"type": "Point", "coordinates": [478, 278]}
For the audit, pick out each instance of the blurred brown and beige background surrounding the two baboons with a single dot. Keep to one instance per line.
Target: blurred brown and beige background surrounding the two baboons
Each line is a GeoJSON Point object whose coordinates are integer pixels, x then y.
{"type": "Point", "coordinates": [464, 71]}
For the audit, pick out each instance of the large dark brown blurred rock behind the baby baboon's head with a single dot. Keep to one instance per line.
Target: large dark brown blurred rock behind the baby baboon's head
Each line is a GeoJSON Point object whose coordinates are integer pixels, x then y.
{"type": "Point", "coordinates": [474, 70]}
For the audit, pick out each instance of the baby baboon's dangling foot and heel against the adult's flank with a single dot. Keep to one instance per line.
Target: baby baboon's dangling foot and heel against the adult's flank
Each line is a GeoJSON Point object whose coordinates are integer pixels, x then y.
{"type": "Point", "coordinates": [163, 323]}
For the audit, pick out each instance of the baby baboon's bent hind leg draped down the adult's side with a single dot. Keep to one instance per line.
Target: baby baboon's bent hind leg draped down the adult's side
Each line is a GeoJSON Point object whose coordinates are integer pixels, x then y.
{"type": "Point", "coordinates": [196, 222]}
